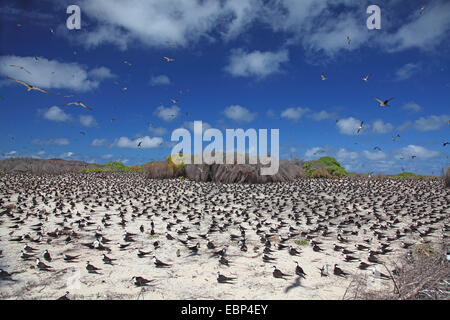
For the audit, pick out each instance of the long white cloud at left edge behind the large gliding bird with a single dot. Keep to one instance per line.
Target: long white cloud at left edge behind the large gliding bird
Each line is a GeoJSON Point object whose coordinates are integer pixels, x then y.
{"type": "Point", "coordinates": [52, 74]}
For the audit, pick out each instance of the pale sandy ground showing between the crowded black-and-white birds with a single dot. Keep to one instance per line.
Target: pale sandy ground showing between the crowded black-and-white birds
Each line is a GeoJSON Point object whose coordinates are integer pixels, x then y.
{"type": "Point", "coordinates": [189, 277]}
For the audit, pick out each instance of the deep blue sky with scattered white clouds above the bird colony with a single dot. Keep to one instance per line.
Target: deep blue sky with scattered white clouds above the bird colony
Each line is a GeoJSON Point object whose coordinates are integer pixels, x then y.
{"type": "Point", "coordinates": [238, 64]}
